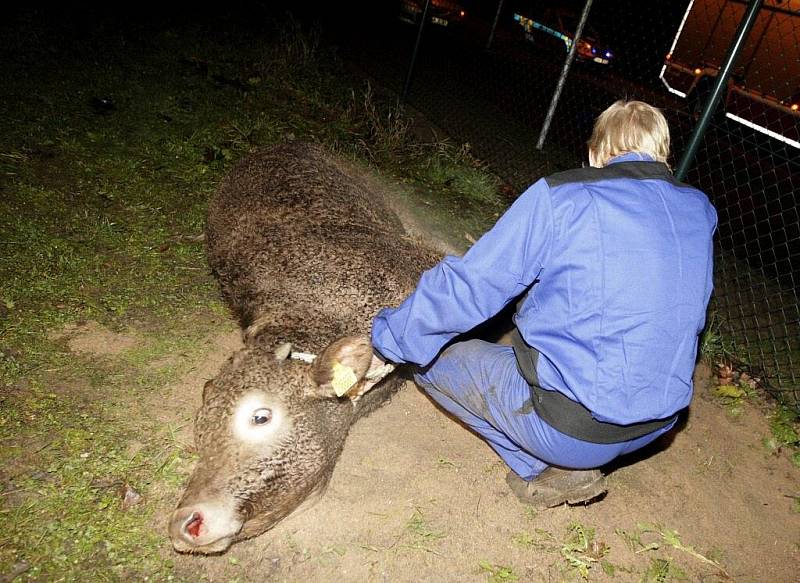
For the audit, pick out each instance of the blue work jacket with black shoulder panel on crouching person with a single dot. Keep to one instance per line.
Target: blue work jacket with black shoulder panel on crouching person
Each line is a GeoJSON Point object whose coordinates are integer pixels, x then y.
{"type": "Point", "coordinates": [618, 261]}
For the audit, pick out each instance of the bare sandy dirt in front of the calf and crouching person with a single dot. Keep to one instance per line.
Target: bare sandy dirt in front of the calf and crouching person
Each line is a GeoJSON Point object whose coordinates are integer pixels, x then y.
{"type": "Point", "coordinates": [417, 497]}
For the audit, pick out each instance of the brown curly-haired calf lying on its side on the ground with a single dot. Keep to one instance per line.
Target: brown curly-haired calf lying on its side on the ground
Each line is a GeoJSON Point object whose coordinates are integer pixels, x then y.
{"type": "Point", "coordinates": [306, 255]}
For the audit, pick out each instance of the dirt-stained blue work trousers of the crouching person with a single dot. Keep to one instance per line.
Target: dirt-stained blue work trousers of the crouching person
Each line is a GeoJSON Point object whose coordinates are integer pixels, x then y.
{"type": "Point", "coordinates": [478, 382]}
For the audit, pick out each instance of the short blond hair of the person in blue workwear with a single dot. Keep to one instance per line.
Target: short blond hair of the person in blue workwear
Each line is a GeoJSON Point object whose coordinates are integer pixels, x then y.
{"type": "Point", "coordinates": [629, 126]}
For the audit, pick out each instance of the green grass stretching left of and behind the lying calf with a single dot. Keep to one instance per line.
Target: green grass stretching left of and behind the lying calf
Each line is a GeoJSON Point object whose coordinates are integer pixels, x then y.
{"type": "Point", "coordinates": [105, 172]}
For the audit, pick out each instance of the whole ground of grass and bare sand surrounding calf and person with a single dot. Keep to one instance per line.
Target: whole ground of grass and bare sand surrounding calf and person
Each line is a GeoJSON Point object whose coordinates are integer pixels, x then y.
{"type": "Point", "coordinates": [415, 496]}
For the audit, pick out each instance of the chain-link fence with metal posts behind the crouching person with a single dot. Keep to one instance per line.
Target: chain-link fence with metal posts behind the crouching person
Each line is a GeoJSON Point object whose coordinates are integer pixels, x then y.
{"type": "Point", "coordinates": [486, 73]}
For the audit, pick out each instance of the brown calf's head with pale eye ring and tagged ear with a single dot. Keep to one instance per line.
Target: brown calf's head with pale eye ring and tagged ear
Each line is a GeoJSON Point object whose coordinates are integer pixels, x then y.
{"type": "Point", "coordinates": [268, 435]}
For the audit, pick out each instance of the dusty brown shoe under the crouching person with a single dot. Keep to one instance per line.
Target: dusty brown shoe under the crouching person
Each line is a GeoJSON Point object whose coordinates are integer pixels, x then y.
{"type": "Point", "coordinates": [555, 486]}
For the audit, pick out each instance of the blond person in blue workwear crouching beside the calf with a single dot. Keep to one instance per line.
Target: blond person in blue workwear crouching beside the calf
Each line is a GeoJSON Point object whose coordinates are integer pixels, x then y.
{"type": "Point", "coordinates": [611, 266]}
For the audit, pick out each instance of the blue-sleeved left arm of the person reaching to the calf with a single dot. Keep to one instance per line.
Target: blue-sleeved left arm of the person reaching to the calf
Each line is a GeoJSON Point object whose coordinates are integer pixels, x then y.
{"type": "Point", "coordinates": [462, 292]}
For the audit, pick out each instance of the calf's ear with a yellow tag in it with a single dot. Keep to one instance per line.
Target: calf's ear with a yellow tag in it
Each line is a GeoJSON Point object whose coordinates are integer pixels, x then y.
{"type": "Point", "coordinates": [348, 368]}
